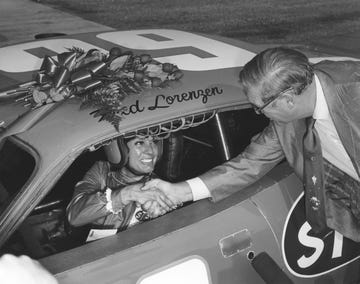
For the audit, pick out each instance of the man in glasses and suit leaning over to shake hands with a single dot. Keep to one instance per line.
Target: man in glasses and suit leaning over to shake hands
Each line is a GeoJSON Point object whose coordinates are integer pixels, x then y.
{"type": "Point", "coordinates": [283, 85]}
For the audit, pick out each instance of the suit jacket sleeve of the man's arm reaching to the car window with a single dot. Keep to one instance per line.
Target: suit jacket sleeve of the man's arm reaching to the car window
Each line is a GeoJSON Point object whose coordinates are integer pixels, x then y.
{"type": "Point", "coordinates": [262, 154]}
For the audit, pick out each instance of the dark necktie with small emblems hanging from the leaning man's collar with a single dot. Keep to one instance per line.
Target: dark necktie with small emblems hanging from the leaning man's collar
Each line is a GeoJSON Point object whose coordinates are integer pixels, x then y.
{"type": "Point", "coordinates": [313, 178]}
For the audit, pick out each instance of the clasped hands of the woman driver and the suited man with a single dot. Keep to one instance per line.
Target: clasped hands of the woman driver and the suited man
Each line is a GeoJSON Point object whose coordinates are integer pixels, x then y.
{"type": "Point", "coordinates": [158, 197]}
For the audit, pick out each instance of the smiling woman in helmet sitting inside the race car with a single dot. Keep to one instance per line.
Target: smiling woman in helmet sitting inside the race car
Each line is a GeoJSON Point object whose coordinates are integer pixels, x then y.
{"type": "Point", "coordinates": [110, 195]}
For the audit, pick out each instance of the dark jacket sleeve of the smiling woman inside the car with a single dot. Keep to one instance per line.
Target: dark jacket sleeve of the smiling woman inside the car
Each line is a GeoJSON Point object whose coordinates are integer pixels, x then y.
{"type": "Point", "coordinates": [88, 204]}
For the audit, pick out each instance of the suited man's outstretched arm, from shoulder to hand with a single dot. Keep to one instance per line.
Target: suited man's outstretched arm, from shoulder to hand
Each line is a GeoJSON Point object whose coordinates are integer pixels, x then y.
{"type": "Point", "coordinates": [263, 153]}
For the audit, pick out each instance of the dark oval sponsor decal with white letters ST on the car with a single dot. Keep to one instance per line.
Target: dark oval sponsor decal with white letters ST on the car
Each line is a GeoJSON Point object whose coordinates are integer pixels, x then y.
{"type": "Point", "coordinates": [307, 254]}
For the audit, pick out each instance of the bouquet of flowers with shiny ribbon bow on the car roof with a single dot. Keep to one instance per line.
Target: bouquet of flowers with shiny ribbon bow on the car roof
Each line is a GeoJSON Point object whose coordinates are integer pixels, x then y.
{"type": "Point", "coordinates": [102, 81]}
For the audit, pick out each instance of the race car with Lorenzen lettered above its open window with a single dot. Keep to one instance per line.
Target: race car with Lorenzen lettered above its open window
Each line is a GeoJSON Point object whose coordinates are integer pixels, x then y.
{"type": "Point", "coordinates": [47, 144]}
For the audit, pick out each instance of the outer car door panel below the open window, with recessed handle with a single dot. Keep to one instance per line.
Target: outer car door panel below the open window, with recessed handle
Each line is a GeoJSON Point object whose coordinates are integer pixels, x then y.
{"type": "Point", "coordinates": [218, 243]}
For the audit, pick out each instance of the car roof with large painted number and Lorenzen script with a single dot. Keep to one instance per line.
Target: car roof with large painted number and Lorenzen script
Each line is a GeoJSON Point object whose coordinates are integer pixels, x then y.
{"type": "Point", "coordinates": [203, 87]}
